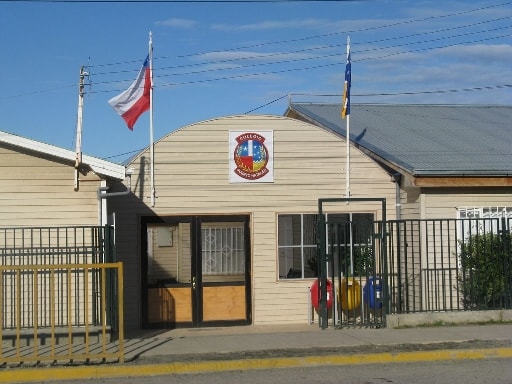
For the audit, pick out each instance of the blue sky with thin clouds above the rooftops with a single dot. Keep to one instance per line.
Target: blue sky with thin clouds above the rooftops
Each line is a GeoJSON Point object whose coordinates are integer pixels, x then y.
{"type": "Point", "coordinates": [214, 59]}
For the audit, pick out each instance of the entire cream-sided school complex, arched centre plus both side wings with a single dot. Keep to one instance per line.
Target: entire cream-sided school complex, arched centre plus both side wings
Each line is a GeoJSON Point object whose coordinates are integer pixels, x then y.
{"type": "Point", "coordinates": [229, 236]}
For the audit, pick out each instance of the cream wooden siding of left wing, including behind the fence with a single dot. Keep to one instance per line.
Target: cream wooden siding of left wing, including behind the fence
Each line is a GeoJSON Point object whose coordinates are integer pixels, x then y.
{"type": "Point", "coordinates": [38, 192]}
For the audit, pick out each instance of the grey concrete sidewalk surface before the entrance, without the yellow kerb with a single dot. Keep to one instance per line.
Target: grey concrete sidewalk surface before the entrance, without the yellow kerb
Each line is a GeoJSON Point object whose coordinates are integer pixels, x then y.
{"type": "Point", "coordinates": [201, 341]}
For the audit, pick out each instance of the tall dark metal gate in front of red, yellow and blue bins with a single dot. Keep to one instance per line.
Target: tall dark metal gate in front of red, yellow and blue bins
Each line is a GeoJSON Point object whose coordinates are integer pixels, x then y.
{"type": "Point", "coordinates": [352, 264]}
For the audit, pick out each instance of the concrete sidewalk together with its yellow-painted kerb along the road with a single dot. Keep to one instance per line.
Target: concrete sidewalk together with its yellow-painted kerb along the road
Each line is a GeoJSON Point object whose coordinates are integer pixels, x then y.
{"type": "Point", "coordinates": [257, 347]}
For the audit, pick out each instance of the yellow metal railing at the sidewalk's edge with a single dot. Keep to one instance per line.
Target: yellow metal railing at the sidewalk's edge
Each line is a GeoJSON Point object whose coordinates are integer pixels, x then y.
{"type": "Point", "coordinates": [56, 296]}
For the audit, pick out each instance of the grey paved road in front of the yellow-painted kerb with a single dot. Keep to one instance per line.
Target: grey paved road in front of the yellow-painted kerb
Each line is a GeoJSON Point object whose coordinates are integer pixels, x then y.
{"type": "Point", "coordinates": [489, 371]}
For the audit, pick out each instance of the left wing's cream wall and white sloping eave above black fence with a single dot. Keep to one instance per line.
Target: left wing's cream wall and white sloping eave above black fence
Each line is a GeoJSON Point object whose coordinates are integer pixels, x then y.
{"type": "Point", "coordinates": [38, 182]}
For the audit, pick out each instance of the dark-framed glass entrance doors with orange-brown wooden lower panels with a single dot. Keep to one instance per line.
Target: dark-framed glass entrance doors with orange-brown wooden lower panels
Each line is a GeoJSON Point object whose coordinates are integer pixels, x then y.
{"type": "Point", "coordinates": [195, 271]}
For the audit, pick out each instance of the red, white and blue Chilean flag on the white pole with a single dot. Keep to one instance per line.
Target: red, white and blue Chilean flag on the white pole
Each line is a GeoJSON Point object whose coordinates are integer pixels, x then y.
{"type": "Point", "coordinates": [136, 99]}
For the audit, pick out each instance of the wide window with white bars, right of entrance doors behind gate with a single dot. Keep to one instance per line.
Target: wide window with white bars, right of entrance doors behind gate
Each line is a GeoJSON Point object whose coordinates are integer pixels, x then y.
{"type": "Point", "coordinates": [297, 242]}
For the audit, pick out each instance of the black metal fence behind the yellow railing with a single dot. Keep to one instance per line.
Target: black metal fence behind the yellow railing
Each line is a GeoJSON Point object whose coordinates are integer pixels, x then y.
{"type": "Point", "coordinates": [39, 246]}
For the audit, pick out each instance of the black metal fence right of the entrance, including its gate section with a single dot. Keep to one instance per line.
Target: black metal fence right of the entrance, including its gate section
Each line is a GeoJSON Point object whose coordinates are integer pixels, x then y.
{"type": "Point", "coordinates": [373, 268]}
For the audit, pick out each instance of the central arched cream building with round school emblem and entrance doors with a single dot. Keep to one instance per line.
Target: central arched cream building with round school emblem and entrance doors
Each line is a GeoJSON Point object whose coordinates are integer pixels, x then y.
{"type": "Point", "coordinates": [233, 225]}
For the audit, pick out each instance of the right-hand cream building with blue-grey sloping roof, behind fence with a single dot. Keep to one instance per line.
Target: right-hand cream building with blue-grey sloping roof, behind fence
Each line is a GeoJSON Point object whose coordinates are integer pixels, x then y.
{"type": "Point", "coordinates": [453, 169]}
